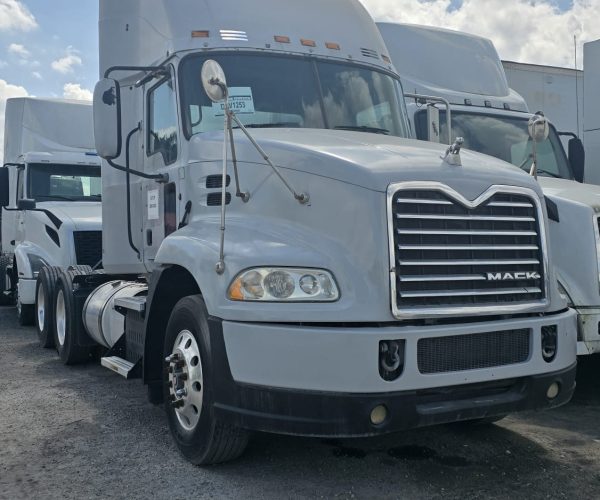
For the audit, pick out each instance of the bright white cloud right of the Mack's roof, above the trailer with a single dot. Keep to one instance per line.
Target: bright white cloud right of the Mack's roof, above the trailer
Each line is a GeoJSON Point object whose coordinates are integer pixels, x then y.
{"type": "Point", "coordinates": [522, 30]}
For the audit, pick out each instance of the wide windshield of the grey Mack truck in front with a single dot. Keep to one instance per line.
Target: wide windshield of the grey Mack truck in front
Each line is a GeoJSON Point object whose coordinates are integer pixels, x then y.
{"type": "Point", "coordinates": [273, 92]}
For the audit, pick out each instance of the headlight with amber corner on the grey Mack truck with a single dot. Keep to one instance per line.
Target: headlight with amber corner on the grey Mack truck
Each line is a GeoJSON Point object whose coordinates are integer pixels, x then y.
{"type": "Point", "coordinates": [268, 284]}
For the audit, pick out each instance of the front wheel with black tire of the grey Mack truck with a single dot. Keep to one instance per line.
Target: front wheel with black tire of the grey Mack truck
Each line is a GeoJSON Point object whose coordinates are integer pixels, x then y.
{"type": "Point", "coordinates": [188, 389]}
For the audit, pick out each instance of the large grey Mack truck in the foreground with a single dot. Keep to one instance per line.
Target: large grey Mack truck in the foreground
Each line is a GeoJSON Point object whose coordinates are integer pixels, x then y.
{"type": "Point", "coordinates": [286, 259]}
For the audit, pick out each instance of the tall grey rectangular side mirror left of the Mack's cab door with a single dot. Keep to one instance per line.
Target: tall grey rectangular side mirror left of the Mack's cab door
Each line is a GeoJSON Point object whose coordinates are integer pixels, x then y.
{"type": "Point", "coordinates": [107, 118]}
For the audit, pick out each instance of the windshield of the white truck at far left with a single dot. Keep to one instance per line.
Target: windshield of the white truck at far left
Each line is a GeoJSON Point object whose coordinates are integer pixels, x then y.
{"type": "Point", "coordinates": [52, 182]}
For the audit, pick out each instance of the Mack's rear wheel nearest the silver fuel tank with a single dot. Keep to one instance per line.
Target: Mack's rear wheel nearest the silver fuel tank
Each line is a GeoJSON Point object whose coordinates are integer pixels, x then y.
{"type": "Point", "coordinates": [66, 320]}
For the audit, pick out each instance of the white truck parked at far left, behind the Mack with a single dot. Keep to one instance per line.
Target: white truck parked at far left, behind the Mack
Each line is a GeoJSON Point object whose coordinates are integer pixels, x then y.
{"type": "Point", "coordinates": [50, 193]}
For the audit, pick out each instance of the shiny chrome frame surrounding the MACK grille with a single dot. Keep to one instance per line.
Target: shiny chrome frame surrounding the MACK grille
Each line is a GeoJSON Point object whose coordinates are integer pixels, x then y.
{"type": "Point", "coordinates": [494, 309]}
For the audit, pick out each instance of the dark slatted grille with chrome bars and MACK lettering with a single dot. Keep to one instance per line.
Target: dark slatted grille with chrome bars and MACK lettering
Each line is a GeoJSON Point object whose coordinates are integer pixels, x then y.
{"type": "Point", "coordinates": [455, 254]}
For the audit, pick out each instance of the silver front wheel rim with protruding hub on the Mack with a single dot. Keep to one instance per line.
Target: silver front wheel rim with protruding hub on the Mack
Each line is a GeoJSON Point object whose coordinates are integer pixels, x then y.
{"type": "Point", "coordinates": [186, 380]}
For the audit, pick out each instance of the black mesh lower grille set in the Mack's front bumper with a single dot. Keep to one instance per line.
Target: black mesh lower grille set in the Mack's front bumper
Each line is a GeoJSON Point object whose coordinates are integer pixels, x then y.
{"type": "Point", "coordinates": [473, 352]}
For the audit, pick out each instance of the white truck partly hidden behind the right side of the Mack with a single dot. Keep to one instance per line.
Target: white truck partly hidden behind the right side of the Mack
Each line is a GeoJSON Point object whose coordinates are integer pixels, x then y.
{"type": "Point", "coordinates": [466, 74]}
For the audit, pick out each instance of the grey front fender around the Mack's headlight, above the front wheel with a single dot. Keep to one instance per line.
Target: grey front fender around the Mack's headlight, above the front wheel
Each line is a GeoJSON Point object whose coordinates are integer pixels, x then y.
{"type": "Point", "coordinates": [360, 272]}
